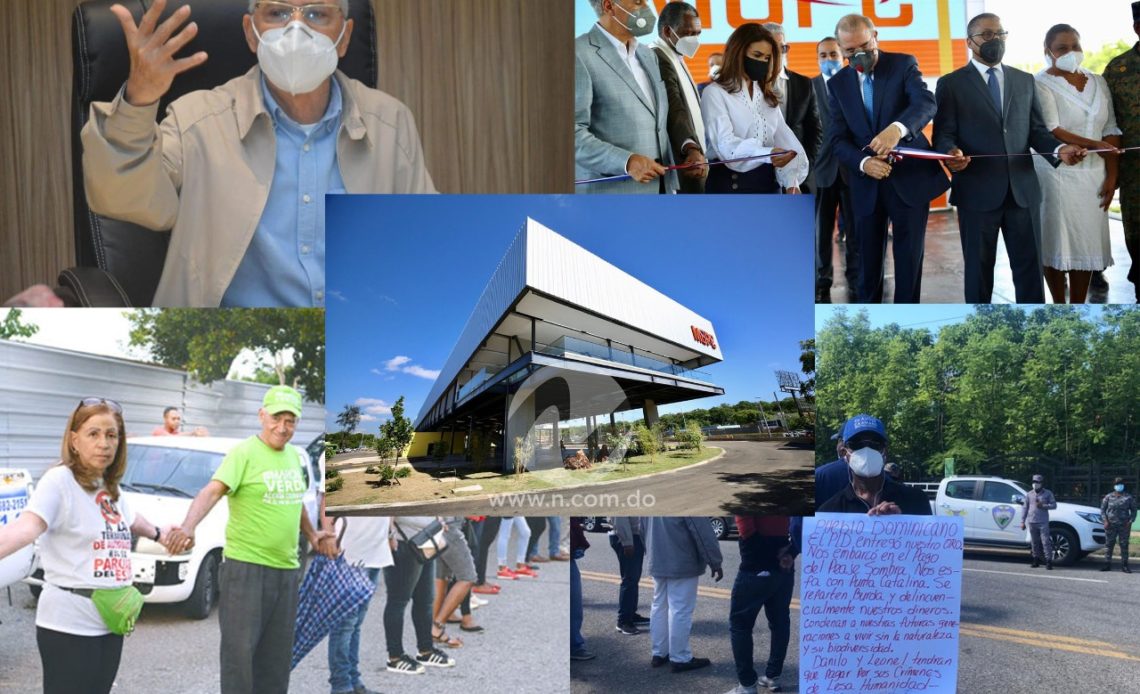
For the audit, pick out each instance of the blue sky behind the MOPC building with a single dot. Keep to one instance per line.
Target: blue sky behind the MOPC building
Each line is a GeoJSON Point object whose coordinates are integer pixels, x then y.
{"type": "Point", "coordinates": [406, 272]}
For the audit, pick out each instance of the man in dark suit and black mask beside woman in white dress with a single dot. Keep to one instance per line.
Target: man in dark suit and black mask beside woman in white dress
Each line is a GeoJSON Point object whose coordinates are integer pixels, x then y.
{"type": "Point", "coordinates": [987, 108]}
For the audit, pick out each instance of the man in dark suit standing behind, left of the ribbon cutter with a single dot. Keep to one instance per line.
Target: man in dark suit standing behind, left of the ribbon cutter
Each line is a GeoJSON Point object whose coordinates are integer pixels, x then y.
{"type": "Point", "coordinates": [832, 190]}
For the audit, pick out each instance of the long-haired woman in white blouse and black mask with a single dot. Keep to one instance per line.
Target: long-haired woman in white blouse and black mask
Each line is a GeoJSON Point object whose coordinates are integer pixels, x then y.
{"type": "Point", "coordinates": [743, 119]}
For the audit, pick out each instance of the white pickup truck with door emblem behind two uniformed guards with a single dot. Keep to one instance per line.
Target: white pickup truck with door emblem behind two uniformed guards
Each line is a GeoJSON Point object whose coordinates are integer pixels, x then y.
{"type": "Point", "coordinates": [992, 512]}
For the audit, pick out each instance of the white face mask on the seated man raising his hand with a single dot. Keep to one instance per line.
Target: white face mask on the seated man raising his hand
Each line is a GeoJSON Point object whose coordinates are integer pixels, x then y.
{"type": "Point", "coordinates": [297, 59]}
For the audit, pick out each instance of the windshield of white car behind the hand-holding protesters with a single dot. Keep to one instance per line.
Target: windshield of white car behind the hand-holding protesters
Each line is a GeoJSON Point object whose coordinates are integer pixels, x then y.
{"type": "Point", "coordinates": [169, 471]}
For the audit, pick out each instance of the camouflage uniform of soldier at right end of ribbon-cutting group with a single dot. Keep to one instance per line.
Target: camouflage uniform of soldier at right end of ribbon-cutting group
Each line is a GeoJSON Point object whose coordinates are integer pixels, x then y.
{"type": "Point", "coordinates": [1123, 78]}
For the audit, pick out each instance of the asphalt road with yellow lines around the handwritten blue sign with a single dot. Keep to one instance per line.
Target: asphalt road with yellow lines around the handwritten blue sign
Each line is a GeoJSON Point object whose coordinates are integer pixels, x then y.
{"type": "Point", "coordinates": [1024, 630]}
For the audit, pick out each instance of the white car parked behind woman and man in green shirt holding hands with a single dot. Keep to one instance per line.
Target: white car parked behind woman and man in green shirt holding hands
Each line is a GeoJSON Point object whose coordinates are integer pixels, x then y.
{"type": "Point", "coordinates": [164, 476]}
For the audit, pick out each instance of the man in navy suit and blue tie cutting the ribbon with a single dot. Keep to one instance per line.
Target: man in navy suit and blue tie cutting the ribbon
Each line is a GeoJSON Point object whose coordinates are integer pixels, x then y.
{"type": "Point", "coordinates": [878, 102]}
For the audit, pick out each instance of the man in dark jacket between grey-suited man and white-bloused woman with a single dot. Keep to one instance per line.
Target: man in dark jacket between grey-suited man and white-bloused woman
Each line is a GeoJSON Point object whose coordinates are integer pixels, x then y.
{"type": "Point", "coordinates": [679, 30]}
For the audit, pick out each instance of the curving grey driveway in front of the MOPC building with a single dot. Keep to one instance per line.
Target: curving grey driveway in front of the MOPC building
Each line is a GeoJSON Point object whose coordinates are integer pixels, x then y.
{"type": "Point", "coordinates": [753, 477]}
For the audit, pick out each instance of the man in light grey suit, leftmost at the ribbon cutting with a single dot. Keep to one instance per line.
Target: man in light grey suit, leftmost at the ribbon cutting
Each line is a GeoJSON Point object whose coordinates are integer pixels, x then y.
{"type": "Point", "coordinates": [621, 104]}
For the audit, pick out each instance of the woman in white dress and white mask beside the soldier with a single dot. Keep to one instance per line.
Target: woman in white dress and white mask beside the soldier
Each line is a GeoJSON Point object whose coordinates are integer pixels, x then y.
{"type": "Point", "coordinates": [1078, 109]}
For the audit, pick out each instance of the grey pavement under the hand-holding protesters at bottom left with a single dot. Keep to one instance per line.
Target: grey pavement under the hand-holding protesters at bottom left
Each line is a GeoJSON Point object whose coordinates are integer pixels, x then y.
{"type": "Point", "coordinates": [524, 648]}
